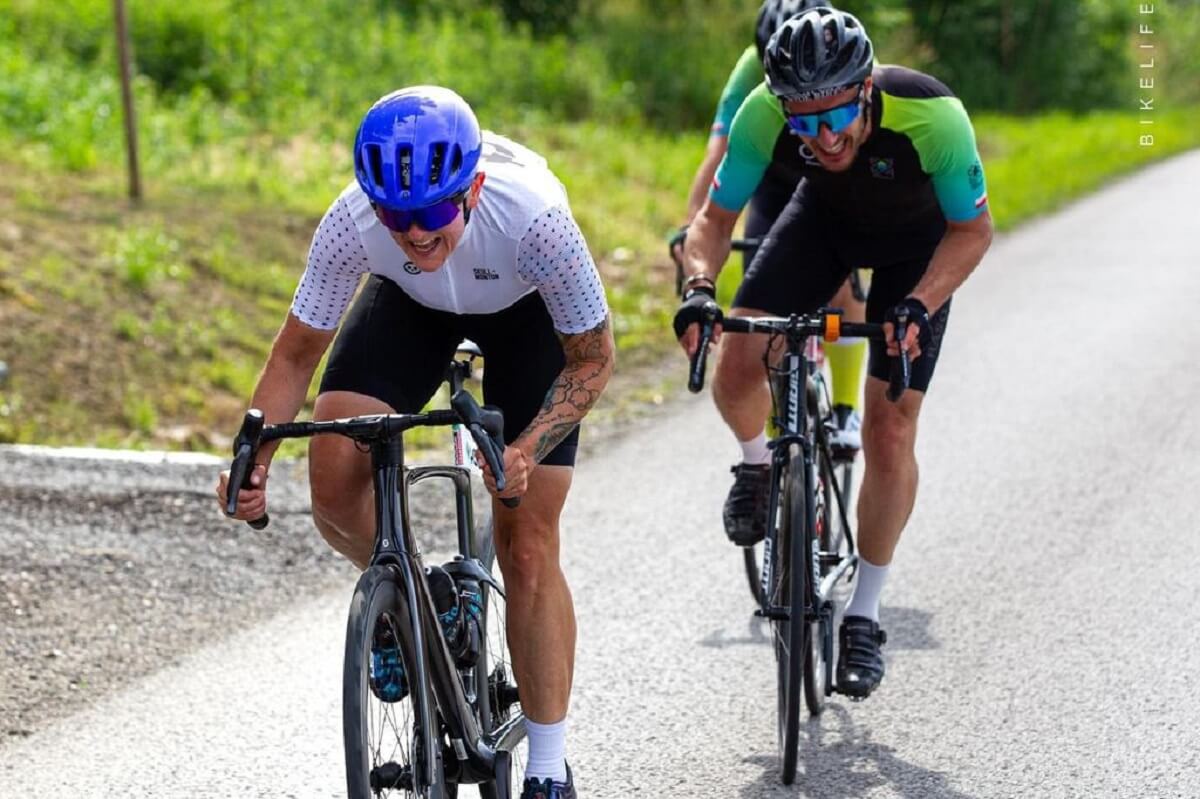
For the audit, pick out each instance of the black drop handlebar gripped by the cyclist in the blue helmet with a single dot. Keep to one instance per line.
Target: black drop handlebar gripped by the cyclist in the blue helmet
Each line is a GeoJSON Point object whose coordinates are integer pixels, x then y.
{"type": "Point", "coordinates": [487, 426]}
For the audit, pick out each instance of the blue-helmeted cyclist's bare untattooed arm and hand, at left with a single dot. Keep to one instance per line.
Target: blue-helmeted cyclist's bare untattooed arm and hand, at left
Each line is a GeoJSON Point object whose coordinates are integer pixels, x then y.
{"type": "Point", "coordinates": [280, 394]}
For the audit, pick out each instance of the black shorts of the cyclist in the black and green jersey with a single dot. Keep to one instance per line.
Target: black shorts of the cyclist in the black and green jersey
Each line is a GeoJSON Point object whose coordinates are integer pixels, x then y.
{"type": "Point", "coordinates": [807, 257]}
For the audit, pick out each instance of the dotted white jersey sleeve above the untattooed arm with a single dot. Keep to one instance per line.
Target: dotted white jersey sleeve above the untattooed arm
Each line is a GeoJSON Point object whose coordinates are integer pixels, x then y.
{"type": "Point", "coordinates": [337, 262]}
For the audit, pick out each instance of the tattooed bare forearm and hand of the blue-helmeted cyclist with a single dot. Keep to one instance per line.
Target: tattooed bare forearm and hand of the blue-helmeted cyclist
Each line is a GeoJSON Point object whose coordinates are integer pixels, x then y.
{"type": "Point", "coordinates": [590, 361]}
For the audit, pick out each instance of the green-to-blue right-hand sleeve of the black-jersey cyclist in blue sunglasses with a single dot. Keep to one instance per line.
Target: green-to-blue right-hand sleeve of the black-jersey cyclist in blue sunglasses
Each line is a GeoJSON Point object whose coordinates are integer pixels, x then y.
{"type": "Point", "coordinates": [945, 141]}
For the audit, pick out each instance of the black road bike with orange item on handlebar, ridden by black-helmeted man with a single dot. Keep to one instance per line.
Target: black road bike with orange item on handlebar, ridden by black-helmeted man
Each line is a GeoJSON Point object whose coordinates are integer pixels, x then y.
{"type": "Point", "coordinates": [808, 555]}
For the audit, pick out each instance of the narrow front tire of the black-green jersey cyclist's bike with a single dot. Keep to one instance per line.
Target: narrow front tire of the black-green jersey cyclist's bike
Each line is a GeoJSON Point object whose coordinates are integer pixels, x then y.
{"type": "Point", "coordinates": [790, 633]}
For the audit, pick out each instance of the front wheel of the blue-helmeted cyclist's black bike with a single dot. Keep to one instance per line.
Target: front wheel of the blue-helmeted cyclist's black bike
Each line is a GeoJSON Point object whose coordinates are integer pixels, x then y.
{"type": "Point", "coordinates": [376, 605]}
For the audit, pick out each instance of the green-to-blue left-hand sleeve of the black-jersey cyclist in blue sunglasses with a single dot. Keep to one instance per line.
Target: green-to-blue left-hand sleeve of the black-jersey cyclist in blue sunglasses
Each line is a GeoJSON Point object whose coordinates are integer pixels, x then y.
{"type": "Point", "coordinates": [757, 127]}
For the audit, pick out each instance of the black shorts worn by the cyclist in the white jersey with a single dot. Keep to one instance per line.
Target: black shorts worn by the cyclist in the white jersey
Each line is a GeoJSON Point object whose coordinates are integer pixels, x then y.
{"type": "Point", "coordinates": [395, 350]}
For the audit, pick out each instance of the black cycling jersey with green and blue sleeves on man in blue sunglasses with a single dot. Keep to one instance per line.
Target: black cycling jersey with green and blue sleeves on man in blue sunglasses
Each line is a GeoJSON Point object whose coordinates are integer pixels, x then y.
{"type": "Point", "coordinates": [919, 166]}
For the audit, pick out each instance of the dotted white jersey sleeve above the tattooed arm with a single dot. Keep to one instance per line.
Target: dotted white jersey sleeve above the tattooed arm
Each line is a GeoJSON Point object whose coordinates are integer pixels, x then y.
{"type": "Point", "coordinates": [554, 257]}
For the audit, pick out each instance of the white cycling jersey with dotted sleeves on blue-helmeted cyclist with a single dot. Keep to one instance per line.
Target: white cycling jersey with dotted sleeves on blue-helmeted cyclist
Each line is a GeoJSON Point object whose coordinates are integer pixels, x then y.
{"type": "Point", "coordinates": [521, 238]}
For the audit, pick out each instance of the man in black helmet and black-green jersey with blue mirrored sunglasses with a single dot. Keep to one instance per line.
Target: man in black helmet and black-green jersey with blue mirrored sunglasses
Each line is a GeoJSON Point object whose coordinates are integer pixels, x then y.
{"type": "Point", "coordinates": [892, 179]}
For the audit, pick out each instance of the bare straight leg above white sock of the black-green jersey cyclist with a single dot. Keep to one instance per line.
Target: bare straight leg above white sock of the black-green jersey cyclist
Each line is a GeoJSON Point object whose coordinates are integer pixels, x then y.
{"type": "Point", "coordinates": [890, 480]}
